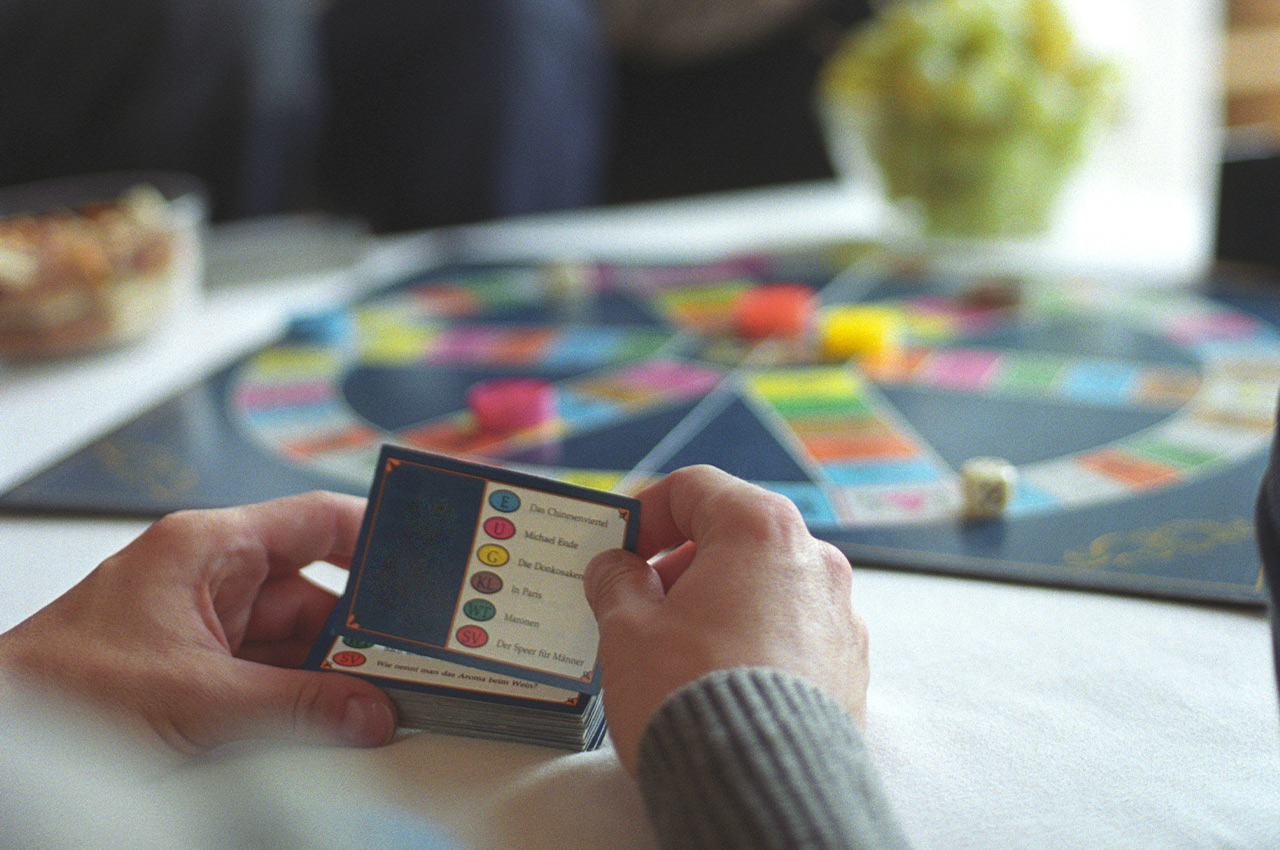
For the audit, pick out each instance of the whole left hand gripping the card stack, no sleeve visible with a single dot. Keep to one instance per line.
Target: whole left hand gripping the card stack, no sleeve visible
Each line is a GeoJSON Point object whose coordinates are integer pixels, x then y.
{"type": "Point", "coordinates": [190, 629]}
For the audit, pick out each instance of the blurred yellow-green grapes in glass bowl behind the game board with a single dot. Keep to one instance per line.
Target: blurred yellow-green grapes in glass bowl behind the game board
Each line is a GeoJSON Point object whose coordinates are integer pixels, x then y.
{"type": "Point", "coordinates": [975, 111]}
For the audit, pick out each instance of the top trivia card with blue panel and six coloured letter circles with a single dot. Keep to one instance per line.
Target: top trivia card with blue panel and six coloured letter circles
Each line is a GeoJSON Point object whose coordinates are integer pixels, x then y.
{"type": "Point", "coordinates": [482, 566]}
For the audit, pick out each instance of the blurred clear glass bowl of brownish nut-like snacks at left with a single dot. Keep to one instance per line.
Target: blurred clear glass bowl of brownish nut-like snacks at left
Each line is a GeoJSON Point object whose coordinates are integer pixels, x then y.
{"type": "Point", "coordinates": [97, 262]}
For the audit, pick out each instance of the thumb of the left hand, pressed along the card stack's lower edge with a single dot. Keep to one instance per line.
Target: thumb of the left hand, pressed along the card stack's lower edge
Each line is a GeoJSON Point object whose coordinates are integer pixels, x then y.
{"type": "Point", "coordinates": [308, 706]}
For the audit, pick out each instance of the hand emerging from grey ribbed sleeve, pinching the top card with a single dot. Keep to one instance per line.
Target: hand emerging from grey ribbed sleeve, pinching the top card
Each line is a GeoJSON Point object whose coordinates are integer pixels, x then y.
{"type": "Point", "coordinates": [743, 586]}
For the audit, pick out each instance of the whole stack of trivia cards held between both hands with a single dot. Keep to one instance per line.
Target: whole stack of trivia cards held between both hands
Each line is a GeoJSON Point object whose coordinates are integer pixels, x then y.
{"type": "Point", "coordinates": [465, 600]}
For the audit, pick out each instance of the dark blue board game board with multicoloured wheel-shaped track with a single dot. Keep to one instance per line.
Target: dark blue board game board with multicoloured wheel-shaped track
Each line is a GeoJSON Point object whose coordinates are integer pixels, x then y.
{"type": "Point", "coordinates": [1139, 423]}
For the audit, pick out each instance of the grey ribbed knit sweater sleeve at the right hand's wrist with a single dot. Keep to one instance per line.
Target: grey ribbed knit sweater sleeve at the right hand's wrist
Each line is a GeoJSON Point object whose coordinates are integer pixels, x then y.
{"type": "Point", "coordinates": [756, 758]}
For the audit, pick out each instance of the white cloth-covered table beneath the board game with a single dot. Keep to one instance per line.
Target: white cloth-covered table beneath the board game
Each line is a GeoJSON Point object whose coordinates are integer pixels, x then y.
{"type": "Point", "coordinates": [1003, 716]}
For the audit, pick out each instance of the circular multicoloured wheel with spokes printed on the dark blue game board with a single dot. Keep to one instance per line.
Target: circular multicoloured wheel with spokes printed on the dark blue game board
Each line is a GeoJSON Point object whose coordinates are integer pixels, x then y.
{"type": "Point", "coordinates": [1096, 396]}
